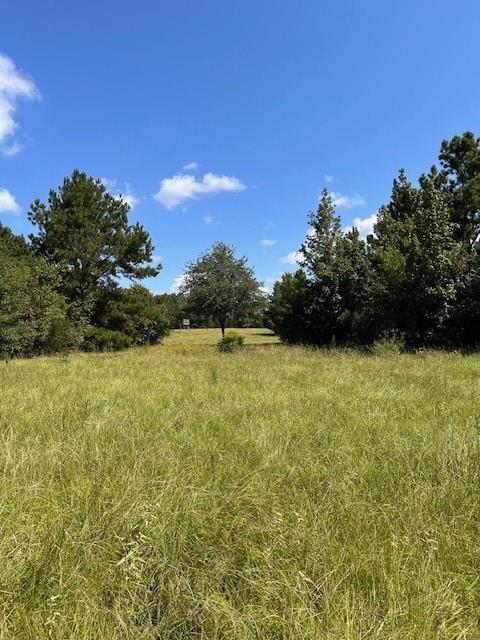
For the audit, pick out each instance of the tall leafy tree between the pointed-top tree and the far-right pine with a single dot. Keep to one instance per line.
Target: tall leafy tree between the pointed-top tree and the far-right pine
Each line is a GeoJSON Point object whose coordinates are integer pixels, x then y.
{"type": "Point", "coordinates": [417, 263]}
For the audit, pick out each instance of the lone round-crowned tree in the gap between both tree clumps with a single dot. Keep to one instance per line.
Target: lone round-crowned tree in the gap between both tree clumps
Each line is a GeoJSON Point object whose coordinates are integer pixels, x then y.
{"type": "Point", "coordinates": [220, 285]}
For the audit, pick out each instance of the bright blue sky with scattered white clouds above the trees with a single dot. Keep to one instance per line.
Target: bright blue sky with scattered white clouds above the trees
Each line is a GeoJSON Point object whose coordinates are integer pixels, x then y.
{"type": "Point", "coordinates": [224, 120]}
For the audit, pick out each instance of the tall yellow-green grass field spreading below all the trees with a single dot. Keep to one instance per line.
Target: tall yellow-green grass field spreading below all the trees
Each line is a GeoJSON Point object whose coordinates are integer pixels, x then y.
{"type": "Point", "coordinates": [176, 492]}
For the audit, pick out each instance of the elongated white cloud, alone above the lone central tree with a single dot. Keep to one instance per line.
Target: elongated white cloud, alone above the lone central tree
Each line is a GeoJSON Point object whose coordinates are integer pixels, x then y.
{"type": "Point", "coordinates": [183, 186]}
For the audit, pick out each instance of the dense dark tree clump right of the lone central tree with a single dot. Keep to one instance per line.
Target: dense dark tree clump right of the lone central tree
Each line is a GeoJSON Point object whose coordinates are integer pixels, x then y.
{"type": "Point", "coordinates": [415, 279]}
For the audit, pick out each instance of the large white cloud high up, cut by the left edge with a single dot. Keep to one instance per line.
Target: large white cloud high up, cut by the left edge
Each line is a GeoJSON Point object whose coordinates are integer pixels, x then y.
{"type": "Point", "coordinates": [14, 86]}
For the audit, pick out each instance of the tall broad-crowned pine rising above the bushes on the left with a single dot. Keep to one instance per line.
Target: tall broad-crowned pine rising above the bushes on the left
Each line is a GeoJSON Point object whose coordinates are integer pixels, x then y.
{"type": "Point", "coordinates": [84, 232]}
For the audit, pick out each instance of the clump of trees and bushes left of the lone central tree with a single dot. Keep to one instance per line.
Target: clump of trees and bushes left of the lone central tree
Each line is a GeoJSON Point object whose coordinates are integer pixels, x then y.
{"type": "Point", "coordinates": [65, 280]}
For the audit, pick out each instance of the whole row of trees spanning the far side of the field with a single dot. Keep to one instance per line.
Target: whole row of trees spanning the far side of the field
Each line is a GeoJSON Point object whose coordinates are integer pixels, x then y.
{"type": "Point", "coordinates": [415, 279]}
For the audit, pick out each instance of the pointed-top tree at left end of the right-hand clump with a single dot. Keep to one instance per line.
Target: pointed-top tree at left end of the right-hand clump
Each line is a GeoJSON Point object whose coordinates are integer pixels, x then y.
{"type": "Point", "coordinates": [320, 304]}
